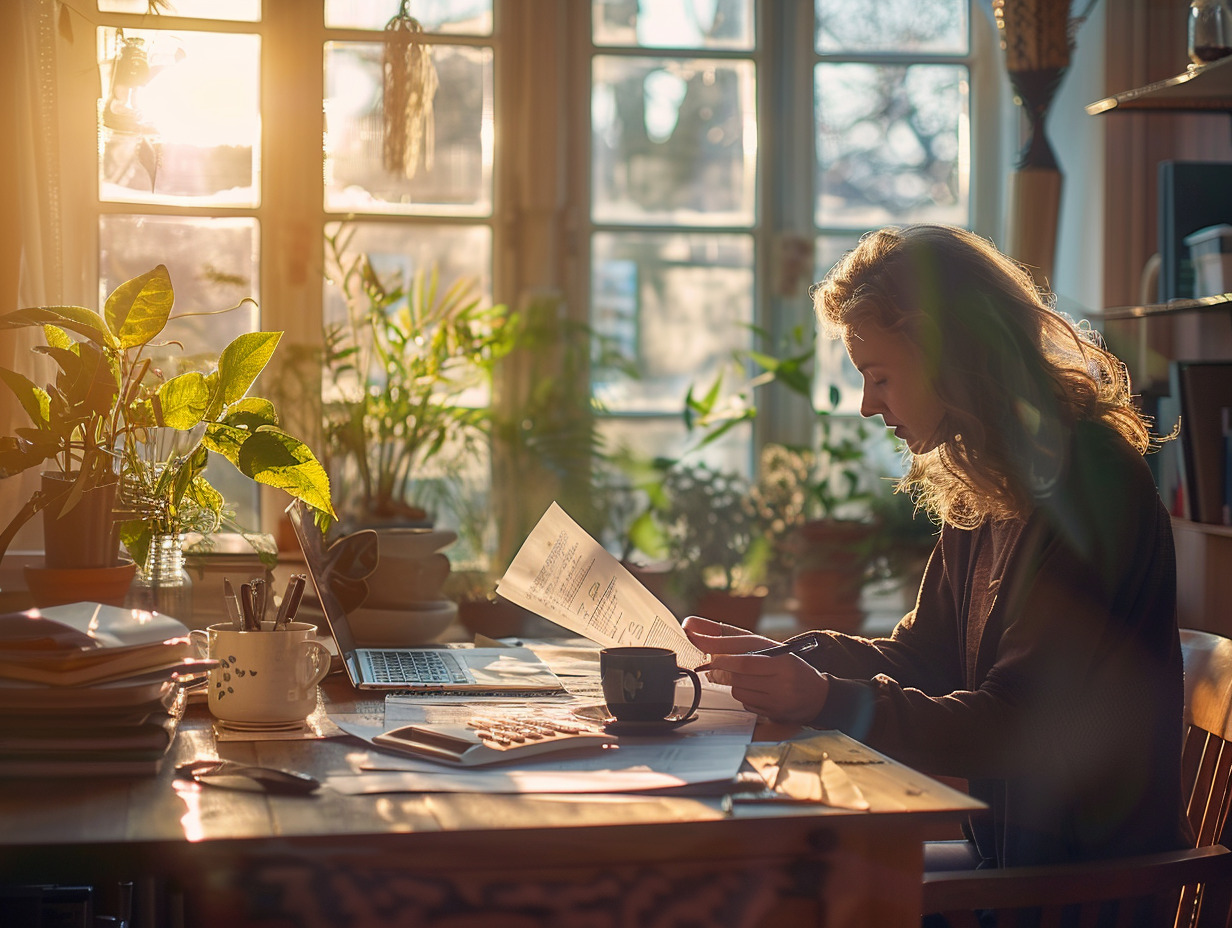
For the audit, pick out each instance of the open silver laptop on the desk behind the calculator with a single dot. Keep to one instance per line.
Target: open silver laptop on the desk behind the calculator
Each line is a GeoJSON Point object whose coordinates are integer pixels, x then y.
{"type": "Point", "coordinates": [338, 574]}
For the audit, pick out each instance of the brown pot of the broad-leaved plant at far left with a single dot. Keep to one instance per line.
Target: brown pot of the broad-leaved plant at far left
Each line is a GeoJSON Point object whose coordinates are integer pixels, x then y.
{"type": "Point", "coordinates": [86, 537]}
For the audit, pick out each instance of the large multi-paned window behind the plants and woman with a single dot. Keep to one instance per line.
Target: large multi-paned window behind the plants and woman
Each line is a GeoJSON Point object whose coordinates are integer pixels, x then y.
{"type": "Point", "coordinates": [666, 167]}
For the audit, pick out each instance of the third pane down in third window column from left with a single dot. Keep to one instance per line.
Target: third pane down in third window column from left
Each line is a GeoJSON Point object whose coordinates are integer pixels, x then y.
{"type": "Point", "coordinates": [676, 305]}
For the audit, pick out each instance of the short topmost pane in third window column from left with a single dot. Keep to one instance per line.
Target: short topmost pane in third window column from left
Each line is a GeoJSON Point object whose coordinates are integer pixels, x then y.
{"type": "Point", "coordinates": [673, 24]}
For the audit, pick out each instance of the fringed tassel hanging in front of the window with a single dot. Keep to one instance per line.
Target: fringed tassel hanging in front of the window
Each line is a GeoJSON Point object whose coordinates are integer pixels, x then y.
{"type": "Point", "coordinates": [410, 89]}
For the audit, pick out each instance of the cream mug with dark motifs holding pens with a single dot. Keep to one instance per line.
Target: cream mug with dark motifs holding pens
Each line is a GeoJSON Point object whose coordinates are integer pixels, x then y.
{"type": "Point", "coordinates": [264, 677]}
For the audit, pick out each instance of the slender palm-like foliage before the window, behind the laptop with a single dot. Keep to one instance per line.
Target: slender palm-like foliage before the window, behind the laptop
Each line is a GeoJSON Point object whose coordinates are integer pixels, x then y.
{"type": "Point", "coordinates": [401, 378]}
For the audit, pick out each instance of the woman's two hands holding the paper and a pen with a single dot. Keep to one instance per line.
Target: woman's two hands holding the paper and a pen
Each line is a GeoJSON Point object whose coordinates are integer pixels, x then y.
{"type": "Point", "coordinates": [784, 688]}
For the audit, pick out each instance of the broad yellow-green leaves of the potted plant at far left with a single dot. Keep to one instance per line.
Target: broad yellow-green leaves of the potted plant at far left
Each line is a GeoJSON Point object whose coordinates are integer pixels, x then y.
{"type": "Point", "coordinates": [97, 421]}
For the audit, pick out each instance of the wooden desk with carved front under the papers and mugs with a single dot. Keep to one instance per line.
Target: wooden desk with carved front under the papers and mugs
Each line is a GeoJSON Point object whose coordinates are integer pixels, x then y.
{"type": "Point", "coordinates": [225, 858]}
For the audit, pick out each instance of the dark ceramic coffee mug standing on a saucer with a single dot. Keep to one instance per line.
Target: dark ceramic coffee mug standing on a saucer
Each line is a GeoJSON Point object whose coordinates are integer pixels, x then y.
{"type": "Point", "coordinates": [640, 685]}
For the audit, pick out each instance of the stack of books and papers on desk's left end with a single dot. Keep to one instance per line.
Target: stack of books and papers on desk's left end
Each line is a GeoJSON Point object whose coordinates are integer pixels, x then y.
{"type": "Point", "coordinates": [89, 690]}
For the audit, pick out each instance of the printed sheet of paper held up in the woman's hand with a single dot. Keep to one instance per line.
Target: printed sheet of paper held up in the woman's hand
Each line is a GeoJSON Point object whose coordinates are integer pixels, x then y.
{"type": "Point", "coordinates": [567, 577]}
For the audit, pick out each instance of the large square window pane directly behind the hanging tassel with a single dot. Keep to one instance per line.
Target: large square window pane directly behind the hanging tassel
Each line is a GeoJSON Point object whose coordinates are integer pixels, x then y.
{"type": "Point", "coordinates": [460, 178]}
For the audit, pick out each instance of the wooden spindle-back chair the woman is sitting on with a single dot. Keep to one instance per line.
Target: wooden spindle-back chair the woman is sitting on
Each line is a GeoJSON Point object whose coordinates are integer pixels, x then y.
{"type": "Point", "coordinates": [1189, 889]}
